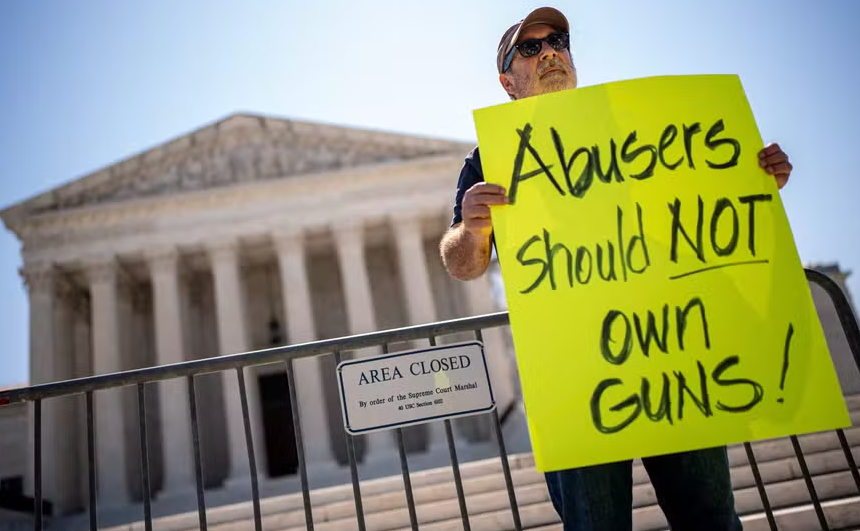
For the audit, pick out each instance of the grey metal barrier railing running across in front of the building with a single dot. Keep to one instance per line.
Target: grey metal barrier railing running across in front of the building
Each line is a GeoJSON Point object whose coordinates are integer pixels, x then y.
{"type": "Point", "coordinates": [191, 370]}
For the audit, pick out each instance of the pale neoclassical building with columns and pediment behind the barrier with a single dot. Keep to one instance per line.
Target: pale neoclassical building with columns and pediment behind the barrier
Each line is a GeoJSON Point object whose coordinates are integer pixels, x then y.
{"type": "Point", "coordinates": [247, 233]}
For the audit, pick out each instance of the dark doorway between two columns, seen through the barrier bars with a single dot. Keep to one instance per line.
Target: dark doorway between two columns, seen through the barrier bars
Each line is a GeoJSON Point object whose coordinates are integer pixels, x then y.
{"type": "Point", "coordinates": [282, 457]}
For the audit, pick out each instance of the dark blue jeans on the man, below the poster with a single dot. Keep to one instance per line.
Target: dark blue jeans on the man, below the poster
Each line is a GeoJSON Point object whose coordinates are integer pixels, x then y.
{"type": "Point", "coordinates": [693, 489]}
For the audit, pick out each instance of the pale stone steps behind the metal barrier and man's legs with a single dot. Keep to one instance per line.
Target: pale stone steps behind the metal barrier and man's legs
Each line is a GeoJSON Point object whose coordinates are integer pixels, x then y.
{"type": "Point", "coordinates": [438, 509]}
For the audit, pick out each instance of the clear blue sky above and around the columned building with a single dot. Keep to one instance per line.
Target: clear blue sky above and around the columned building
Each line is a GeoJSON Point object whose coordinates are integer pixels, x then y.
{"type": "Point", "coordinates": [88, 83]}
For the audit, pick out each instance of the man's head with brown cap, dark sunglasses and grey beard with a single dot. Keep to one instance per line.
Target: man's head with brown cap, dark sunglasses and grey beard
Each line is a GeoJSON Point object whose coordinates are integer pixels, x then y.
{"type": "Point", "coordinates": [534, 55]}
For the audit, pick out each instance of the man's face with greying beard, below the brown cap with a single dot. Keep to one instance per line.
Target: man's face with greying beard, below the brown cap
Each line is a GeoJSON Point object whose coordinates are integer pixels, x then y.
{"type": "Point", "coordinates": [548, 71]}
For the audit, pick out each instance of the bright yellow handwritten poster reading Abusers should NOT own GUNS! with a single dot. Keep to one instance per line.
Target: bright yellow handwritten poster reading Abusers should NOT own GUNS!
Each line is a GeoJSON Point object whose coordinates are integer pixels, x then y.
{"type": "Point", "coordinates": [656, 297]}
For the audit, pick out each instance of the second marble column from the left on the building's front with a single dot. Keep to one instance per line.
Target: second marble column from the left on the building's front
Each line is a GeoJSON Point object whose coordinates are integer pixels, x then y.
{"type": "Point", "coordinates": [109, 431]}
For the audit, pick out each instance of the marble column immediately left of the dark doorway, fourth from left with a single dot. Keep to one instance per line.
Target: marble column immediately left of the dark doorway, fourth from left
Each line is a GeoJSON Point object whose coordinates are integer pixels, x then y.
{"type": "Point", "coordinates": [233, 339]}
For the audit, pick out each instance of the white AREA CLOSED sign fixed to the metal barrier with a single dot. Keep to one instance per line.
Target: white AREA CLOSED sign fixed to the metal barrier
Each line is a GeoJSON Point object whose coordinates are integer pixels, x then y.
{"type": "Point", "coordinates": [414, 387]}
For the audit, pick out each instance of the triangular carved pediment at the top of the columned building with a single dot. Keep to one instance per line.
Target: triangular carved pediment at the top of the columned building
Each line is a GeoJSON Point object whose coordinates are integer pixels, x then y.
{"type": "Point", "coordinates": [239, 149]}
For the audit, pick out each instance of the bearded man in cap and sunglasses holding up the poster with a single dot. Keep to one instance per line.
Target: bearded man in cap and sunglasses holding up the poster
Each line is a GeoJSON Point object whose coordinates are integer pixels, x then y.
{"type": "Point", "coordinates": [693, 488]}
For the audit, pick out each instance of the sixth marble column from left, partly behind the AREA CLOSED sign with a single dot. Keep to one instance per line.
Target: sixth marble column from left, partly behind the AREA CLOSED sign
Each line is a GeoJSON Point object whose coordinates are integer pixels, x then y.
{"type": "Point", "coordinates": [361, 316]}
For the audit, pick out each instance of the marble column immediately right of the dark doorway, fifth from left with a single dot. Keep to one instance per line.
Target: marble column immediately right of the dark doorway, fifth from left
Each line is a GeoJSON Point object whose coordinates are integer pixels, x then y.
{"type": "Point", "coordinates": [310, 392]}
